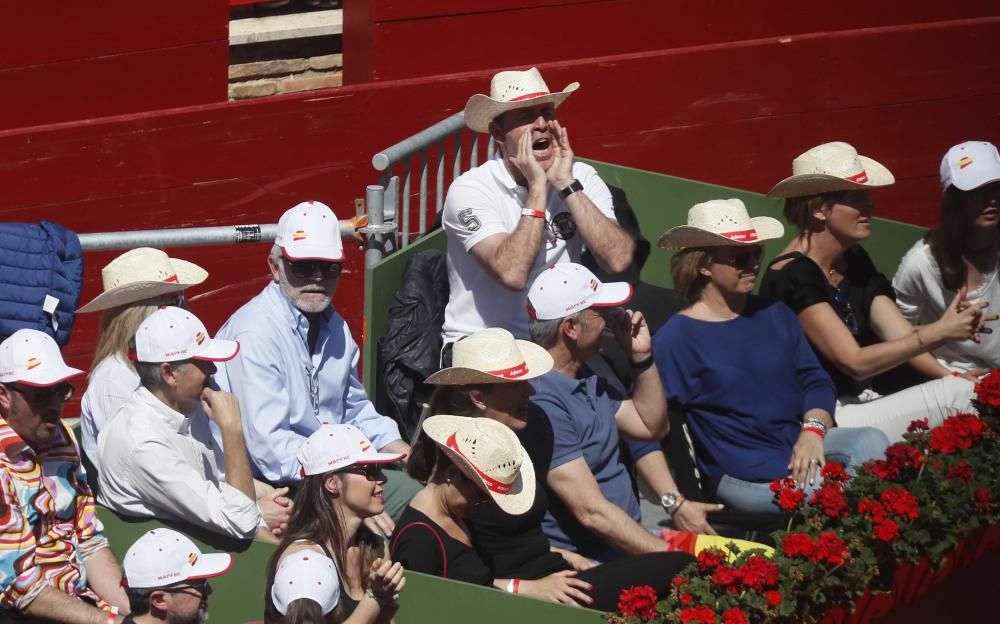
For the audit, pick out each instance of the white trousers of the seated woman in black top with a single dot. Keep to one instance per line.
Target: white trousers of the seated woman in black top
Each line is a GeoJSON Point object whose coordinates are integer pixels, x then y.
{"type": "Point", "coordinates": [934, 400]}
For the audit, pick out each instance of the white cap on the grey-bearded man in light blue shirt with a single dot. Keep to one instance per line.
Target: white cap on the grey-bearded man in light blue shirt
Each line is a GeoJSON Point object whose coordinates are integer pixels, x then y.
{"type": "Point", "coordinates": [310, 231]}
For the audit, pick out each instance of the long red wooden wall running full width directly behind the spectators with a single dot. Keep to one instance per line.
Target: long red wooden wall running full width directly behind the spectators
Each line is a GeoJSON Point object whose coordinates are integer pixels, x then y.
{"type": "Point", "coordinates": [729, 113]}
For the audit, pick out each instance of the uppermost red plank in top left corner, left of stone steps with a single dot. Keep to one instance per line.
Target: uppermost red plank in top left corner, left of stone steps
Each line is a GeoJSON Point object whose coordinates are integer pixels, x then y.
{"type": "Point", "coordinates": [38, 33]}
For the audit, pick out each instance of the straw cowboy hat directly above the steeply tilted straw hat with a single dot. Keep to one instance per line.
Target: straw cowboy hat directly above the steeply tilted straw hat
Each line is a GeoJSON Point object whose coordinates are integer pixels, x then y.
{"type": "Point", "coordinates": [492, 356]}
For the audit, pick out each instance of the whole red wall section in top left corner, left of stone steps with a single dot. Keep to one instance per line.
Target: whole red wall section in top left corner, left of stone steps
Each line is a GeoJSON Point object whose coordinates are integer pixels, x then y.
{"type": "Point", "coordinates": [67, 61]}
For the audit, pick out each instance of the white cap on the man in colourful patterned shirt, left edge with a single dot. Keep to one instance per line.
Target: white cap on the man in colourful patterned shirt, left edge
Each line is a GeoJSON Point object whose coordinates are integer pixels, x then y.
{"type": "Point", "coordinates": [32, 358]}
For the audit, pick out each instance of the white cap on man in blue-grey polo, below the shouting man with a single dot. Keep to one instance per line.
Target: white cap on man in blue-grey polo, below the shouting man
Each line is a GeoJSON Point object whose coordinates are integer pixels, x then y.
{"type": "Point", "coordinates": [567, 288]}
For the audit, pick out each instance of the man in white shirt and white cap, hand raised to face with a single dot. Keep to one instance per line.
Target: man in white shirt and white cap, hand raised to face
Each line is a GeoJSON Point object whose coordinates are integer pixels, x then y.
{"type": "Point", "coordinates": [150, 464]}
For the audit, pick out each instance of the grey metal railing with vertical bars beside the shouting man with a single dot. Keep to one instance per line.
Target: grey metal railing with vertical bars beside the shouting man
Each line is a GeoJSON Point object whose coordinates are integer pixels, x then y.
{"type": "Point", "coordinates": [440, 148]}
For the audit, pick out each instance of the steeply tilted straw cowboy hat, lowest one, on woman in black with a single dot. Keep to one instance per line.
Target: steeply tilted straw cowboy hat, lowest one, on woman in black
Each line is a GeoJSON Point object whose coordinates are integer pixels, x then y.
{"type": "Point", "coordinates": [490, 454]}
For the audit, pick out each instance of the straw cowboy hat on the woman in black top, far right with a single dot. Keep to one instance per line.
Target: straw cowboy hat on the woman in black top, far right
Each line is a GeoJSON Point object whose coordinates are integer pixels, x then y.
{"type": "Point", "coordinates": [832, 167]}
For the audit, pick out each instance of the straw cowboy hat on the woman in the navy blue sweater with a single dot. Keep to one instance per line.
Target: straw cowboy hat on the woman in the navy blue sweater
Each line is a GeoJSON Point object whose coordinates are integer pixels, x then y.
{"type": "Point", "coordinates": [720, 222]}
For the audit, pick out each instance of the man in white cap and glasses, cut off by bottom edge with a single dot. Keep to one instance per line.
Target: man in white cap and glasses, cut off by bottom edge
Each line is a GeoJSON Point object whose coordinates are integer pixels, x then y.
{"type": "Point", "coordinates": [166, 578]}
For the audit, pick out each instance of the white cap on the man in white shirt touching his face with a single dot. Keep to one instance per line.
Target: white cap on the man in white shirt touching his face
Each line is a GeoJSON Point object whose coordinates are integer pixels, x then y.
{"type": "Point", "coordinates": [172, 334]}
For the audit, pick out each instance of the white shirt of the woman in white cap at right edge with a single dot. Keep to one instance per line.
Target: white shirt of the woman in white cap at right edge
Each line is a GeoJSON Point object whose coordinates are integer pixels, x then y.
{"type": "Point", "coordinates": [921, 297]}
